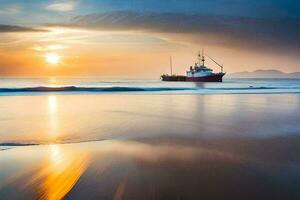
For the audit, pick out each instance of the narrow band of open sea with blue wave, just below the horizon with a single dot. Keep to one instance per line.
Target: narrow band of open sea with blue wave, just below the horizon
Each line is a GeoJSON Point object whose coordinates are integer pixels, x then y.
{"type": "Point", "coordinates": [28, 86]}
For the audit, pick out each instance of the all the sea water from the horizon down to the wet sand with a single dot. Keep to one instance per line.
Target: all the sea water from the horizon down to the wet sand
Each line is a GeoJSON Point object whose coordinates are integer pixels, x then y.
{"type": "Point", "coordinates": [73, 110]}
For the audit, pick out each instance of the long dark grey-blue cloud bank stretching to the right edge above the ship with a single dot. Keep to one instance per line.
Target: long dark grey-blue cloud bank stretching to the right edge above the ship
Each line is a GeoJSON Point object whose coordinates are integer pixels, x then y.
{"type": "Point", "coordinates": [229, 30]}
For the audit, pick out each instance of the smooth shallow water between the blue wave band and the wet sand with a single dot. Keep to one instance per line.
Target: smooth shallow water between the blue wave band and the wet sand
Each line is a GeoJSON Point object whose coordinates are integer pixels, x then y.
{"type": "Point", "coordinates": [75, 118]}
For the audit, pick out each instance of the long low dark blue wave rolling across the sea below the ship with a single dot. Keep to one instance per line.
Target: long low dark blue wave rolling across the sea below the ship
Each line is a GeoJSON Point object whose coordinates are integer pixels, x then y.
{"type": "Point", "coordinates": [133, 89]}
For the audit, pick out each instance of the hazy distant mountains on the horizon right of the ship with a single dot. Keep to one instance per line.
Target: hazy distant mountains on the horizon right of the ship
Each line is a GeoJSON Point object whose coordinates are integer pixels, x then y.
{"type": "Point", "coordinates": [265, 74]}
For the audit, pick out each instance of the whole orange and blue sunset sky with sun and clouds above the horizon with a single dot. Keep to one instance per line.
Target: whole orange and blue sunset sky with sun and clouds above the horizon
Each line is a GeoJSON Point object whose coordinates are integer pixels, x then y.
{"type": "Point", "coordinates": [134, 38]}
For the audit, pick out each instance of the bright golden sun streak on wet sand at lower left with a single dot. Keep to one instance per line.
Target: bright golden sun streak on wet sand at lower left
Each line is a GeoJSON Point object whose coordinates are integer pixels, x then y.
{"type": "Point", "coordinates": [57, 176]}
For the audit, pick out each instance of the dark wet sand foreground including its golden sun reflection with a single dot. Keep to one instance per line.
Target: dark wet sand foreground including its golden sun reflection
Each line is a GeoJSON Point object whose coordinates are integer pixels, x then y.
{"type": "Point", "coordinates": [161, 169]}
